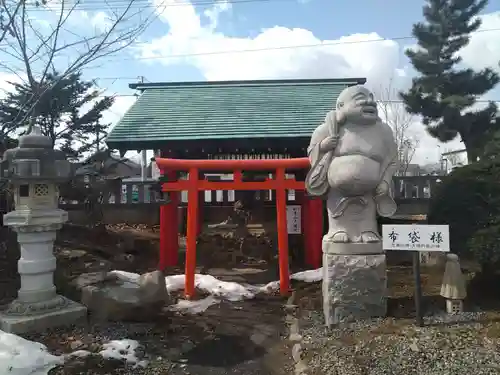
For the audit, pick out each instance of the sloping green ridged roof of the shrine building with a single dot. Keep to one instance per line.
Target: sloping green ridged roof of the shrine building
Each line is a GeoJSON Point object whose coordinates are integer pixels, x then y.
{"type": "Point", "coordinates": [225, 110]}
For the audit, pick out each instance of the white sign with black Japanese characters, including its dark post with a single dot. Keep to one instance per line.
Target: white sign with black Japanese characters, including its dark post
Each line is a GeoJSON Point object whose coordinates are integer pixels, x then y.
{"type": "Point", "coordinates": [416, 238]}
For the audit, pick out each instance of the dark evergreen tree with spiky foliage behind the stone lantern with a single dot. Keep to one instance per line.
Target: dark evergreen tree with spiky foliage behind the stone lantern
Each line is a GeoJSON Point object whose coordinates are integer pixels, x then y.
{"type": "Point", "coordinates": [67, 109]}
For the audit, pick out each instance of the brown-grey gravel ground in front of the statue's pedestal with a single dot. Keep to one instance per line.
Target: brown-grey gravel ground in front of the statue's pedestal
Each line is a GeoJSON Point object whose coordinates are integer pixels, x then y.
{"type": "Point", "coordinates": [466, 343]}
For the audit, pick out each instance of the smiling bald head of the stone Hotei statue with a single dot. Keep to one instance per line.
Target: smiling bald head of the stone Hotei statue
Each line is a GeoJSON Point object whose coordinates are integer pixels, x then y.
{"type": "Point", "coordinates": [356, 104]}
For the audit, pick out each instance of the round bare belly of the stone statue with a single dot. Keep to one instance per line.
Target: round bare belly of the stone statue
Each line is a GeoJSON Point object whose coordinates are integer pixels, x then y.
{"type": "Point", "coordinates": [354, 174]}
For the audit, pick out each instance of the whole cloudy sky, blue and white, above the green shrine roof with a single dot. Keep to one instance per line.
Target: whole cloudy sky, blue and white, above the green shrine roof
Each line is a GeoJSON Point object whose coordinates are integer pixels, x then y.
{"type": "Point", "coordinates": [348, 38]}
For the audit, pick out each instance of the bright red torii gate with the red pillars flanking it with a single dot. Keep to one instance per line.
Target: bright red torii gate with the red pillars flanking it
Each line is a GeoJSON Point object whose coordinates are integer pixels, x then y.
{"type": "Point", "coordinates": [312, 212]}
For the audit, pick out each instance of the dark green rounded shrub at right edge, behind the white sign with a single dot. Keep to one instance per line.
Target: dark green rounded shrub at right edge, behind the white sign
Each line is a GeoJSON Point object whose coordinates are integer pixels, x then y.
{"type": "Point", "coordinates": [468, 200]}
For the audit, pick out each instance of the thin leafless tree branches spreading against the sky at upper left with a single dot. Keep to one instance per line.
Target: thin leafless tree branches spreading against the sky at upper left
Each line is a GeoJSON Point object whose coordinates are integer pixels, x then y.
{"type": "Point", "coordinates": [42, 49]}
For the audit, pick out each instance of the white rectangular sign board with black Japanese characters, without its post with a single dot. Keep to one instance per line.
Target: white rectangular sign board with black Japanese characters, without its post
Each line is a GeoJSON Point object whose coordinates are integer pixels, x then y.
{"type": "Point", "coordinates": [416, 237]}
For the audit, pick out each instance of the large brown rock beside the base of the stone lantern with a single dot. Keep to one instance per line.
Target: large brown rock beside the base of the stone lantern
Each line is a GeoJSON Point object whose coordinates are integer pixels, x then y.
{"type": "Point", "coordinates": [109, 298]}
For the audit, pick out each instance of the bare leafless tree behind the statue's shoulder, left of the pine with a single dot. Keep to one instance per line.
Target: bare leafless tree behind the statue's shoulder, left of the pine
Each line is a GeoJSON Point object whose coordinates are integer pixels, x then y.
{"type": "Point", "coordinates": [394, 113]}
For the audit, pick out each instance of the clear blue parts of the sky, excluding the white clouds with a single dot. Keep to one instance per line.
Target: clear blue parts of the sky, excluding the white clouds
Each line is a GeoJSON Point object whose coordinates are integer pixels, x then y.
{"type": "Point", "coordinates": [326, 19]}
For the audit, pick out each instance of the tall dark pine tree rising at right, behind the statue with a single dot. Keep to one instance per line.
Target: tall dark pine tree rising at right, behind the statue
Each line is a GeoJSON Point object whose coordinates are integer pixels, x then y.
{"type": "Point", "coordinates": [444, 92]}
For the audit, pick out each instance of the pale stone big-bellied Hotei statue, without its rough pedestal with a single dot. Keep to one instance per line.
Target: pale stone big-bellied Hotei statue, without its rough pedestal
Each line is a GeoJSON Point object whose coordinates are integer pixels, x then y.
{"type": "Point", "coordinates": [353, 157]}
